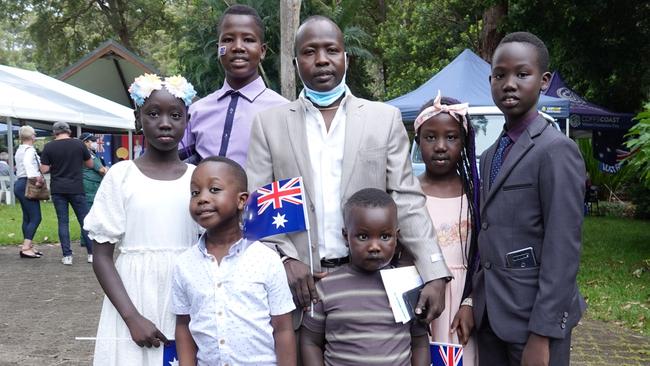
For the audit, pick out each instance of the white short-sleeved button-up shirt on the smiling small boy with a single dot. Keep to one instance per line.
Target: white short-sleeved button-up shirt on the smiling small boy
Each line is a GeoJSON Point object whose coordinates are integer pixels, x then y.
{"type": "Point", "coordinates": [230, 304]}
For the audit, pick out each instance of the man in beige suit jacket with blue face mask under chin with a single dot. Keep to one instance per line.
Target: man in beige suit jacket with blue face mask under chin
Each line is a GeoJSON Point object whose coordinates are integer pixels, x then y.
{"type": "Point", "coordinates": [375, 154]}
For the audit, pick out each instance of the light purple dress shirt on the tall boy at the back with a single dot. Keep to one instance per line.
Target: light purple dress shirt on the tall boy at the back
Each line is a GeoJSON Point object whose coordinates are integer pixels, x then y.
{"type": "Point", "coordinates": [208, 117]}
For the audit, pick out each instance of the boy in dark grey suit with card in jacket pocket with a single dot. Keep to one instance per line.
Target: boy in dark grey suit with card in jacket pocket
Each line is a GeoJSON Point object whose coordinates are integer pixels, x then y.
{"type": "Point", "coordinates": [526, 298]}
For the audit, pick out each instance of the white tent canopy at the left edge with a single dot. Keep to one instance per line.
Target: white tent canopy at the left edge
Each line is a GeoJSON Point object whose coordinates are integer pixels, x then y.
{"type": "Point", "coordinates": [30, 95]}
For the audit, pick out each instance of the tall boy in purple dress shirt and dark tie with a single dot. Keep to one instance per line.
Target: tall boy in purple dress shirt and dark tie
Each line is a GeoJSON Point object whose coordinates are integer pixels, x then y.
{"type": "Point", "coordinates": [220, 123]}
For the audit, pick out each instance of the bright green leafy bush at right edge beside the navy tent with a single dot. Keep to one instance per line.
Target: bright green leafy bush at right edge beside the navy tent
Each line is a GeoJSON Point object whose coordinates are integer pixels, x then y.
{"type": "Point", "coordinates": [639, 144]}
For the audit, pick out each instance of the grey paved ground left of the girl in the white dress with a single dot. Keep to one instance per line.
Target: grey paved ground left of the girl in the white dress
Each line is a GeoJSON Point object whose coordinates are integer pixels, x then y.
{"type": "Point", "coordinates": [44, 305]}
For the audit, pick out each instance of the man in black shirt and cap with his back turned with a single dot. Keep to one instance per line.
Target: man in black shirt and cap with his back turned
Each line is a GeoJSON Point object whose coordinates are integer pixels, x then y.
{"type": "Point", "coordinates": [63, 159]}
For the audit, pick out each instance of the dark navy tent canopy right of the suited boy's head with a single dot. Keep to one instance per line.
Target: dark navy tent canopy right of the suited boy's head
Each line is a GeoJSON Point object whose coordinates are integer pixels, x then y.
{"type": "Point", "coordinates": [585, 115]}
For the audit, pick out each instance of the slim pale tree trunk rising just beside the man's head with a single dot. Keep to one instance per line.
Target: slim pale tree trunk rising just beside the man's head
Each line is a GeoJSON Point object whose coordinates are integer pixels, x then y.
{"type": "Point", "coordinates": [289, 21]}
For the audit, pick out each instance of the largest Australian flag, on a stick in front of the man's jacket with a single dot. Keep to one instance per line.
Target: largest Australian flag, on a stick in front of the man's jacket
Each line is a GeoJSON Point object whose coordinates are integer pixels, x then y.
{"type": "Point", "coordinates": [276, 208]}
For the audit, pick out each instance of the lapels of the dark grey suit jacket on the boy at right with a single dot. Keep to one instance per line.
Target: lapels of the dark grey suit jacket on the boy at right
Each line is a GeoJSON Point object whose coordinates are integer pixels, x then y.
{"type": "Point", "coordinates": [517, 152]}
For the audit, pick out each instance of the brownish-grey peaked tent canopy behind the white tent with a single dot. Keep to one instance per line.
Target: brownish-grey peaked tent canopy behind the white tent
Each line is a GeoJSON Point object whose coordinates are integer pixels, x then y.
{"type": "Point", "coordinates": [107, 71]}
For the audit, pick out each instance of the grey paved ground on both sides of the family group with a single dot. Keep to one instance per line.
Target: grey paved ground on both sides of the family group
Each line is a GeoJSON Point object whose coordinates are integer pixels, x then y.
{"type": "Point", "coordinates": [45, 305]}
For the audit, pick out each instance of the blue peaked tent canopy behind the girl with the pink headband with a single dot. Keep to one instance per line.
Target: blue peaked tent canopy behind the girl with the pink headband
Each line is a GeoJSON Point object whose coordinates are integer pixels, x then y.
{"type": "Point", "coordinates": [466, 79]}
